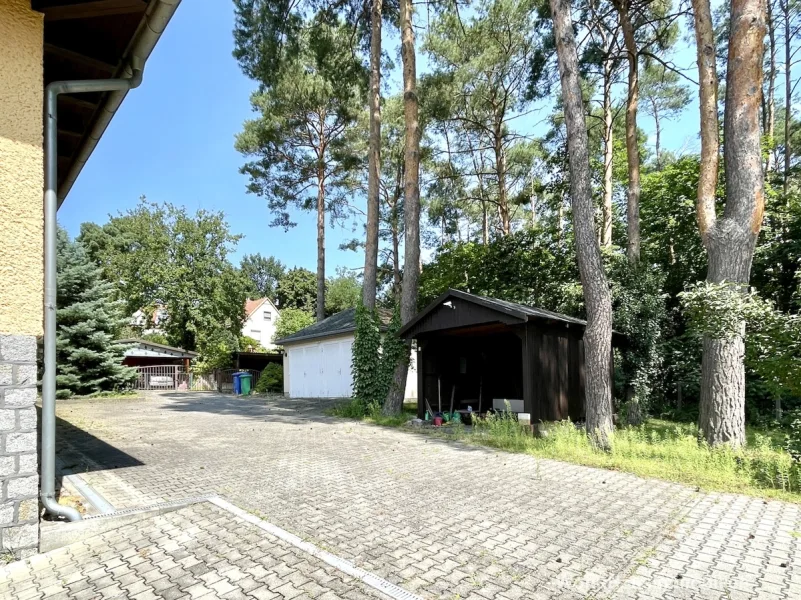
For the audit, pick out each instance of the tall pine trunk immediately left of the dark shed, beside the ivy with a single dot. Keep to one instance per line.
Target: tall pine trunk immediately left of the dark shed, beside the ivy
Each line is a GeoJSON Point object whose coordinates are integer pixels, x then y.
{"type": "Point", "coordinates": [411, 207]}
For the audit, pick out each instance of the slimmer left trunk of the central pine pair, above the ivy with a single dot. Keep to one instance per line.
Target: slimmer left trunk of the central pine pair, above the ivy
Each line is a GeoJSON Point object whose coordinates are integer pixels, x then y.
{"type": "Point", "coordinates": [373, 160]}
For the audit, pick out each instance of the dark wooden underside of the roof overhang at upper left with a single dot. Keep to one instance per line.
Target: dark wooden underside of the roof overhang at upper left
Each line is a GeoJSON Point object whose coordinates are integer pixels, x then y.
{"type": "Point", "coordinates": [93, 39]}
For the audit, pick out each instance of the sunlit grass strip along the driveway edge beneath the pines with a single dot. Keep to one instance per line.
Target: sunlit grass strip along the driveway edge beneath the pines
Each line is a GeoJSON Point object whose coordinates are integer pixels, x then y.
{"type": "Point", "coordinates": [659, 448]}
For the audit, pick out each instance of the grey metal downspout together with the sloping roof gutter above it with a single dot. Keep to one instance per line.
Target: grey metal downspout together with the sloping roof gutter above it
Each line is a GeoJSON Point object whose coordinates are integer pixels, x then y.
{"type": "Point", "coordinates": [159, 14]}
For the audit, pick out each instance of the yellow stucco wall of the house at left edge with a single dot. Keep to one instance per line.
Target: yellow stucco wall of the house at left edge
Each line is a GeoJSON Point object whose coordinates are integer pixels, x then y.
{"type": "Point", "coordinates": [21, 174]}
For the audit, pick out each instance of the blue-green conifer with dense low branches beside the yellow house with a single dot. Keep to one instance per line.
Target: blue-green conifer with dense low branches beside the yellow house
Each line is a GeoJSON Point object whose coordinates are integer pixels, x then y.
{"type": "Point", "coordinates": [88, 359]}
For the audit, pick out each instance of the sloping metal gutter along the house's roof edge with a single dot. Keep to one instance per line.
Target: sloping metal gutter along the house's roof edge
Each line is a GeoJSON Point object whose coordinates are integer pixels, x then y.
{"type": "Point", "coordinates": [157, 16]}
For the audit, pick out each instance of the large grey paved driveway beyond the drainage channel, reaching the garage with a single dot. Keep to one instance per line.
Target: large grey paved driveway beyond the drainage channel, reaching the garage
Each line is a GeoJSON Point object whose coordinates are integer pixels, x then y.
{"type": "Point", "coordinates": [440, 519]}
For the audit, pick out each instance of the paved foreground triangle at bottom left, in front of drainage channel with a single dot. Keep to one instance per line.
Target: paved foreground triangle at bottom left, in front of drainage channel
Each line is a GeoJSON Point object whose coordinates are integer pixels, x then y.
{"type": "Point", "coordinates": [199, 551]}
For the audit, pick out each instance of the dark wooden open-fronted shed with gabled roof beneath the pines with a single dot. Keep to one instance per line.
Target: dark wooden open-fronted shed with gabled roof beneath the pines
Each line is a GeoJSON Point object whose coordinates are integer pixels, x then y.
{"type": "Point", "coordinates": [479, 349]}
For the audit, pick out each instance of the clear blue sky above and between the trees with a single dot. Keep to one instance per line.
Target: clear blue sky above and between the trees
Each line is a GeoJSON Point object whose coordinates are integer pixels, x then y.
{"type": "Point", "coordinates": [172, 140]}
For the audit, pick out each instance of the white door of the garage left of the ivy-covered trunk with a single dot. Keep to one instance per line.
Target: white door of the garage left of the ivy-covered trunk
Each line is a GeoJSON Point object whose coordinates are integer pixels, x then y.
{"type": "Point", "coordinates": [320, 369]}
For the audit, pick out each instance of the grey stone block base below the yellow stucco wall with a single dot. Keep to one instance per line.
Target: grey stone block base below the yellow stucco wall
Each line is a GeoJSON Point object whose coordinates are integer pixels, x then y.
{"type": "Point", "coordinates": [19, 476]}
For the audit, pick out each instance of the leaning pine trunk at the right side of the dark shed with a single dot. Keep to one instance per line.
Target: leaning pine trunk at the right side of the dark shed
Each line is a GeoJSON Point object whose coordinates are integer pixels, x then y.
{"type": "Point", "coordinates": [598, 334]}
